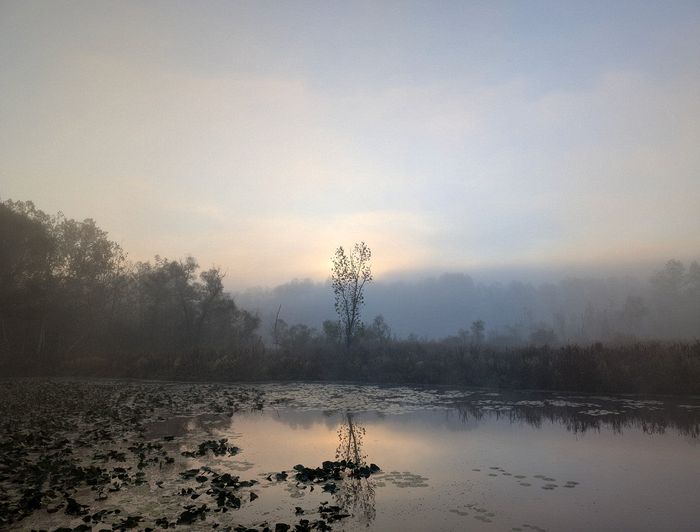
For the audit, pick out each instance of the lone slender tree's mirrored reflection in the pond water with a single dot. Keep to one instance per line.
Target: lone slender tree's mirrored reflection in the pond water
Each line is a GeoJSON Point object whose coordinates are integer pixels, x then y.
{"type": "Point", "coordinates": [356, 494]}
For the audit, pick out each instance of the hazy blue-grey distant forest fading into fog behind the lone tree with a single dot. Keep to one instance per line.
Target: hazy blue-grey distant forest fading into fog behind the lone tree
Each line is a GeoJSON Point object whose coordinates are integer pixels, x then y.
{"type": "Point", "coordinates": [663, 306]}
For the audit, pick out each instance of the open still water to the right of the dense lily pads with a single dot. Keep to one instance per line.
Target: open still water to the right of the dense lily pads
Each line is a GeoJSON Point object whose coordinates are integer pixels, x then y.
{"type": "Point", "coordinates": [458, 460]}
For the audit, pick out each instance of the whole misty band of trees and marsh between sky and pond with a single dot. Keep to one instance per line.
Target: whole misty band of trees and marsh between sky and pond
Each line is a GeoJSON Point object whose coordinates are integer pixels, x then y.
{"type": "Point", "coordinates": [72, 304]}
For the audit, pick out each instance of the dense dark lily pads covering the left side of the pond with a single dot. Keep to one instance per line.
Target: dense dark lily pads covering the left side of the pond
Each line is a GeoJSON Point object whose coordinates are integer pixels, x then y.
{"type": "Point", "coordinates": [76, 456]}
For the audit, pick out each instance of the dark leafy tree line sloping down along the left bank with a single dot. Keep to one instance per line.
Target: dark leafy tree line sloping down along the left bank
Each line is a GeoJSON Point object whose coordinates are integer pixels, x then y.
{"type": "Point", "coordinates": [69, 294]}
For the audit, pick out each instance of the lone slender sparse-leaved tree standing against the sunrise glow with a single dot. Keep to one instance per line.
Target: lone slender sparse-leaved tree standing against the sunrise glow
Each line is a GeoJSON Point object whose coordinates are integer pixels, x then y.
{"type": "Point", "coordinates": [349, 274]}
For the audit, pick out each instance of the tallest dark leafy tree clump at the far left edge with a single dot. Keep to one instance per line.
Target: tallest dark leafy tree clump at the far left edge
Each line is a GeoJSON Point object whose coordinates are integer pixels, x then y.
{"type": "Point", "coordinates": [58, 281]}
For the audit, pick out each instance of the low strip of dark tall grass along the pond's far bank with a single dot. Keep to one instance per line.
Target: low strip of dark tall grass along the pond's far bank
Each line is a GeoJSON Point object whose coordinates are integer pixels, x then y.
{"type": "Point", "coordinates": [649, 367]}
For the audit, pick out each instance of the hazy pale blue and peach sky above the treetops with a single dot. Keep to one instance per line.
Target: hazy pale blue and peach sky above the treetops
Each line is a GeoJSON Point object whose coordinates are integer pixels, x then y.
{"type": "Point", "coordinates": [258, 136]}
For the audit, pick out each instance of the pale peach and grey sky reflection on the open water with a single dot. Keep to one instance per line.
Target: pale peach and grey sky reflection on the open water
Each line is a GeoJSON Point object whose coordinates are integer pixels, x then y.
{"type": "Point", "coordinates": [625, 481]}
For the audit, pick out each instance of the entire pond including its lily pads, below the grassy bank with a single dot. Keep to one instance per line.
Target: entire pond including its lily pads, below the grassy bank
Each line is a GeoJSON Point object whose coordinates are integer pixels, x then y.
{"type": "Point", "coordinates": [346, 457]}
